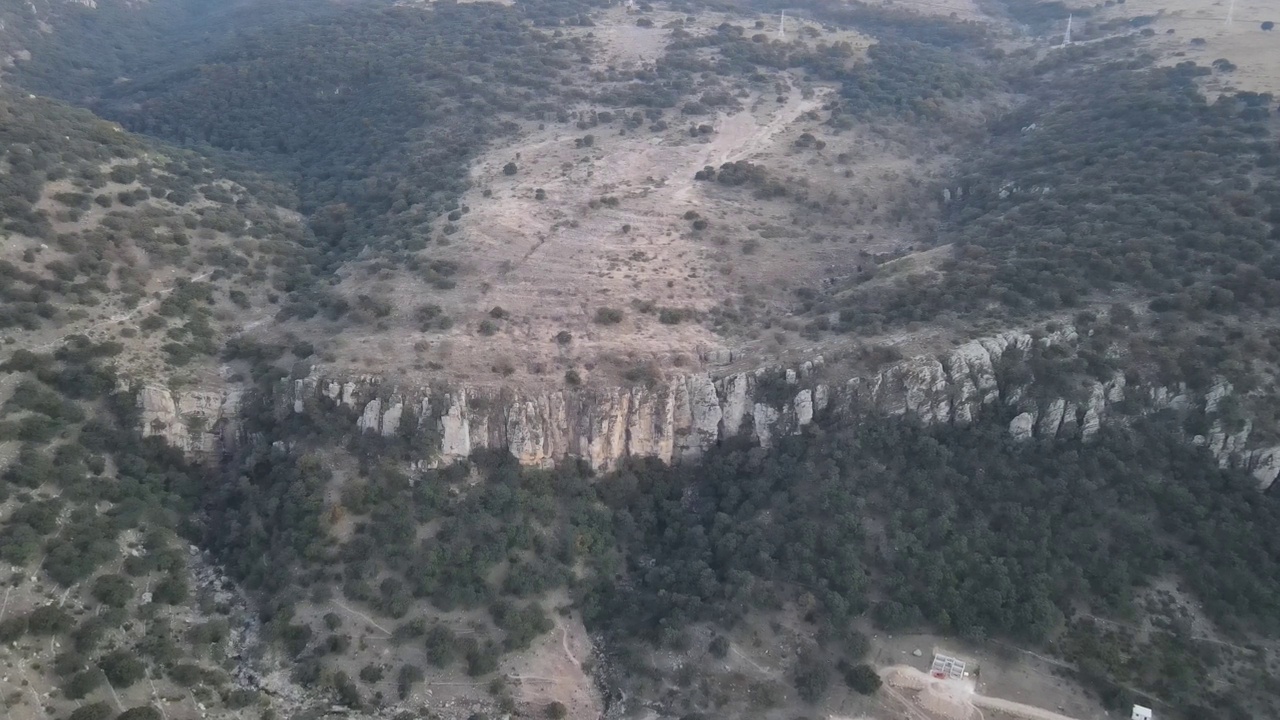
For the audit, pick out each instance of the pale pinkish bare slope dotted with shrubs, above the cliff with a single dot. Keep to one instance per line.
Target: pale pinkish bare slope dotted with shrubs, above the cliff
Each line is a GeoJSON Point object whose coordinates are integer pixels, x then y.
{"type": "Point", "coordinates": [602, 216]}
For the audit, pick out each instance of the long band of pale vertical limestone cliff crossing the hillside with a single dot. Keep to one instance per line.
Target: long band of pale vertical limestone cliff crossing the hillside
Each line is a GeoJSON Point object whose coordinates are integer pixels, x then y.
{"type": "Point", "coordinates": [692, 413]}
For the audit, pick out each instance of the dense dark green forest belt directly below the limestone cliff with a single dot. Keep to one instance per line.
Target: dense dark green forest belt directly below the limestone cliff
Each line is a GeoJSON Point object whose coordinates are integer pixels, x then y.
{"type": "Point", "coordinates": [962, 531]}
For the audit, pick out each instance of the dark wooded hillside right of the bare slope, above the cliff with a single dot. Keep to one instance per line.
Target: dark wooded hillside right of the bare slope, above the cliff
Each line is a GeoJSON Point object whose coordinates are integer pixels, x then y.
{"type": "Point", "coordinates": [1109, 180]}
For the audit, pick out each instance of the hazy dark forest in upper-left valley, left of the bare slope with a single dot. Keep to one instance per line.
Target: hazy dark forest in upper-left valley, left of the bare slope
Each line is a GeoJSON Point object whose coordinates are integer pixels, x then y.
{"type": "Point", "coordinates": [372, 112]}
